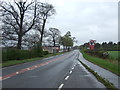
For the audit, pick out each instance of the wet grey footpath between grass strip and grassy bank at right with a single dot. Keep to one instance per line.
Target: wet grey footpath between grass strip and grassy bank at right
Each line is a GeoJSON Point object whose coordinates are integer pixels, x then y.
{"type": "Point", "coordinates": [111, 77]}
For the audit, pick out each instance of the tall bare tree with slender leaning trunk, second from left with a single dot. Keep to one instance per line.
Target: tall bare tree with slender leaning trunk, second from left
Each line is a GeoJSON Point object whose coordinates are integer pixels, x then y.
{"type": "Point", "coordinates": [44, 10]}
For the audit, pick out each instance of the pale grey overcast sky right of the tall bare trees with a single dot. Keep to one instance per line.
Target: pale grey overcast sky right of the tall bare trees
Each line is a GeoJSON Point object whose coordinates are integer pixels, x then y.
{"type": "Point", "coordinates": [86, 20]}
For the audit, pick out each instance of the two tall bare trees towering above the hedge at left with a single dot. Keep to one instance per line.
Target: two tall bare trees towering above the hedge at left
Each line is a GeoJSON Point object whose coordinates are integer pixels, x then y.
{"type": "Point", "coordinates": [19, 18]}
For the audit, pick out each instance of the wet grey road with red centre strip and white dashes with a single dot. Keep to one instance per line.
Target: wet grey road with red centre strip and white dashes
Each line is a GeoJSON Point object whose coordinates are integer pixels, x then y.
{"type": "Point", "coordinates": [61, 71]}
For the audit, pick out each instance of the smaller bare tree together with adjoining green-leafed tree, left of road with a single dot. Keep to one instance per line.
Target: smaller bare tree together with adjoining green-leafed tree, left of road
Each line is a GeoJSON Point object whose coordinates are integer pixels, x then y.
{"type": "Point", "coordinates": [55, 39]}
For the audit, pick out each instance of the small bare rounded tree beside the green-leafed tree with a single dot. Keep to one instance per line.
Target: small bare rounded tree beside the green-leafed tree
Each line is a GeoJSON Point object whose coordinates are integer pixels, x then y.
{"type": "Point", "coordinates": [54, 36]}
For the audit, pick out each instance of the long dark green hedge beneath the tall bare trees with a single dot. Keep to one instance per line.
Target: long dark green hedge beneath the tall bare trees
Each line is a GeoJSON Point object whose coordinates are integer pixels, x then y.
{"type": "Point", "coordinates": [15, 54]}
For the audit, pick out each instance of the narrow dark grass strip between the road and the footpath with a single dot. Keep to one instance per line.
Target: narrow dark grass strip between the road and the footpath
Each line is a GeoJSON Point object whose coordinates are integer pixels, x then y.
{"type": "Point", "coordinates": [108, 84]}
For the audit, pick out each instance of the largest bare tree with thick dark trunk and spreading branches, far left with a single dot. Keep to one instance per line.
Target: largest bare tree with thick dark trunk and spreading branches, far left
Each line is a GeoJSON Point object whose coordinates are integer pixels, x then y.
{"type": "Point", "coordinates": [18, 16]}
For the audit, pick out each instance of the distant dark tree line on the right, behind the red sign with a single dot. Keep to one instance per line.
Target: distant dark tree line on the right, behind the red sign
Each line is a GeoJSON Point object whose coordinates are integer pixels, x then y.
{"type": "Point", "coordinates": [110, 46]}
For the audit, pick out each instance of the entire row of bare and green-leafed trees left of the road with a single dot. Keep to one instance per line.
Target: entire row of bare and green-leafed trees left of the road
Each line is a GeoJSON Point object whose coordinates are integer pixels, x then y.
{"type": "Point", "coordinates": [23, 25]}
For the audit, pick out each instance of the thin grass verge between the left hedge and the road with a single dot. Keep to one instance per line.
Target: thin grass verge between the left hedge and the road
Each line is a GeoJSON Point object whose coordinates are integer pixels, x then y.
{"type": "Point", "coordinates": [14, 62]}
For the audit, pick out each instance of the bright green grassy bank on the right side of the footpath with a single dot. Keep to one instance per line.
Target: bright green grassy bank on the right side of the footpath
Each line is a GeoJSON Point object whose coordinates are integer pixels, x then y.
{"type": "Point", "coordinates": [103, 63]}
